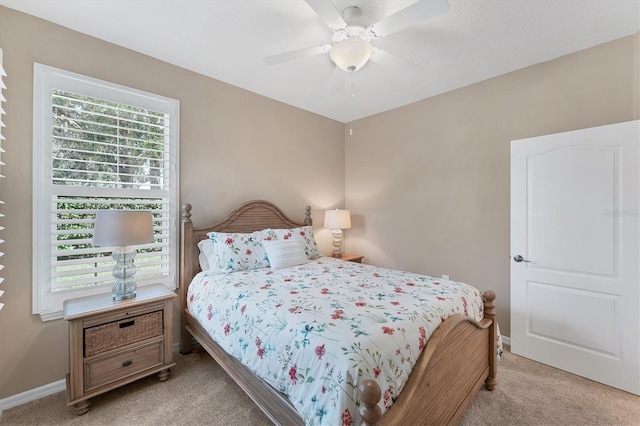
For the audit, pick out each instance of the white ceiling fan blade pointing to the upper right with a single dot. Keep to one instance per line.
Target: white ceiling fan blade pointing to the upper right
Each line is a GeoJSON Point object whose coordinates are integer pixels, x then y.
{"type": "Point", "coordinates": [410, 15]}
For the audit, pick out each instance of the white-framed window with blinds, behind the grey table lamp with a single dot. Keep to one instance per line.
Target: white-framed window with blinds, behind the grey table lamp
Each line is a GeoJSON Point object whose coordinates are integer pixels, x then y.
{"type": "Point", "coordinates": [96, 146]}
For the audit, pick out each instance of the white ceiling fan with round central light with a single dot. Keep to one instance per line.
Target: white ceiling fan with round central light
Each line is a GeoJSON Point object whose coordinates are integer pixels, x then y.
{"type": "Point", "coordinates": [351, 48]}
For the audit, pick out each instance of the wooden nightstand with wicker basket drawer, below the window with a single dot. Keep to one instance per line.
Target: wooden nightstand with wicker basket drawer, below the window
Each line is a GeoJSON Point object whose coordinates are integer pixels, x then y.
{"type": "Point", "coordinates": [112, 343]}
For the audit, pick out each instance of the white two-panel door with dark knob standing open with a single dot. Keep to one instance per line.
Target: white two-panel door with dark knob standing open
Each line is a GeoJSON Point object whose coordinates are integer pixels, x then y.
{"type": "Point", "coordinates": [575, 297]}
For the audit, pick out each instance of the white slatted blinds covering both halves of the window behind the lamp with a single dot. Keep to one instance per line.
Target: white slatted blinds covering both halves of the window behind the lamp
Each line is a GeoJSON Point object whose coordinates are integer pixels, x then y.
{"type": "Point", "coordinates": [106, 155]}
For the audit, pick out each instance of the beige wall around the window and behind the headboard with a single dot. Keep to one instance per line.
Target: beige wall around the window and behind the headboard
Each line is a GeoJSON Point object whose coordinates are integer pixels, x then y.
{"type": "Point", "coordinates": [235, 146]}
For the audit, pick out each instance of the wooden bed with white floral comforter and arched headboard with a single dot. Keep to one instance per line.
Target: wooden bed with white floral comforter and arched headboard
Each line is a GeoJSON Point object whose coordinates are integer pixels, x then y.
{"type": "Point", "coordinates": [454, 359]}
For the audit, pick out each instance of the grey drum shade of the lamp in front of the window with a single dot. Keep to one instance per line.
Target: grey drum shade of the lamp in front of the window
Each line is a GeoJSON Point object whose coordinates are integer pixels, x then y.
{"type": "Point", "coordinates": [122, 228]}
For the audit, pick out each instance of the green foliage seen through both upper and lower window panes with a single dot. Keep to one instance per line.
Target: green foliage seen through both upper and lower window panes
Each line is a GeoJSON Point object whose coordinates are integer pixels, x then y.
{"type": "Point", "coordinates": [98, 143]}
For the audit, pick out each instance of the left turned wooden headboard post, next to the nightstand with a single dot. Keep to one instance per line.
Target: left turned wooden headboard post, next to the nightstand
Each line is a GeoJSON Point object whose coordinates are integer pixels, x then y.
{"type": "Point", "coordinates": [186, 273]}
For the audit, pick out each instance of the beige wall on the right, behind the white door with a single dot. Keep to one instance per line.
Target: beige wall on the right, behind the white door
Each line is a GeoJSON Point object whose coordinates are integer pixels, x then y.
{"type": "Point", "coordinates": [428, 184]}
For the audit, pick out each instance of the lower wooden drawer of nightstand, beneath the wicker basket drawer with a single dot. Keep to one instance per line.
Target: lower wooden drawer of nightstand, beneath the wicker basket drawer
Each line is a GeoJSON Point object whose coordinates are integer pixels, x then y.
{"type": "Point", "coordinates": [101, 371]}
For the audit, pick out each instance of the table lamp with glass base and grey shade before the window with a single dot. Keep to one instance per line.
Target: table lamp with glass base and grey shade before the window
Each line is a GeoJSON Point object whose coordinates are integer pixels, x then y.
{"type": "Point", "coordinates": [121, 229]}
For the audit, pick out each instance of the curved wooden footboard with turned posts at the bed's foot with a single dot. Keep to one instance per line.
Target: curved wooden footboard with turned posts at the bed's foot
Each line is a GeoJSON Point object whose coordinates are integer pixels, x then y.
{"type": "Point", "coordinates": [460, 356]}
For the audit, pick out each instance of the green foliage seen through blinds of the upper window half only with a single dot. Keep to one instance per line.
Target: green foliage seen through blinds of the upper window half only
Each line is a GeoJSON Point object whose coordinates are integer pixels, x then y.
{"type": "Point", "coordinates": [105, 144]}
